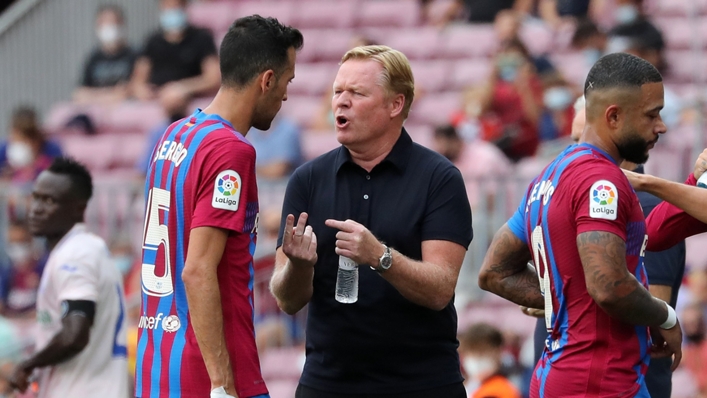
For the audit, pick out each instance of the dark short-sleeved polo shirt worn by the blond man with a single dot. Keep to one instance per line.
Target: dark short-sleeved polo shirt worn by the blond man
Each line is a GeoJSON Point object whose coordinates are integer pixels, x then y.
{"type": "Point", "coordinates": [383, 343]}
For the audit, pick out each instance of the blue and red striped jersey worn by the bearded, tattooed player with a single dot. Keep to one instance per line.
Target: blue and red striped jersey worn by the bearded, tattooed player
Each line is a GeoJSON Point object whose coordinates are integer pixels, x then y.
{"type": "Point", "coordinates": [588, 353]}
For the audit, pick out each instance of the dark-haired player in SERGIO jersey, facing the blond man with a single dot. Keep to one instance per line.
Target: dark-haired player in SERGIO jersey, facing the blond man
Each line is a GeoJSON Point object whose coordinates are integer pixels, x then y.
{"type": "Point", "coordinates": [196, 335]}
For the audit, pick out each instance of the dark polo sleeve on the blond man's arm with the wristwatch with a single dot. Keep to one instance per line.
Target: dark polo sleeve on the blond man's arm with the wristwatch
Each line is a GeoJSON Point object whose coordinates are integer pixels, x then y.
{"type": "Point", "coordinates": [448, 213]}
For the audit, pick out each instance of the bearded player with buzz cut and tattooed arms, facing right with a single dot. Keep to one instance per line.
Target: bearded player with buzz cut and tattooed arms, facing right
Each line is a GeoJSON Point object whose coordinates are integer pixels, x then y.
{"type": "Point", "coordinates": [582, 225]}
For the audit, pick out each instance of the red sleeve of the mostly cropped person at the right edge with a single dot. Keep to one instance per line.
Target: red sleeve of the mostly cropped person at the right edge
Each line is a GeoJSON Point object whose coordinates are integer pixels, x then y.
{"type": "Point", "coordinates": [667, 224]}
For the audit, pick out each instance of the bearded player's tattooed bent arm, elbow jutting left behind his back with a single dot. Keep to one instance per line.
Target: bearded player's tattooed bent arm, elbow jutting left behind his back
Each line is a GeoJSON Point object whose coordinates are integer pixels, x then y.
{"type": "Point", "coordinates": [505, 271]}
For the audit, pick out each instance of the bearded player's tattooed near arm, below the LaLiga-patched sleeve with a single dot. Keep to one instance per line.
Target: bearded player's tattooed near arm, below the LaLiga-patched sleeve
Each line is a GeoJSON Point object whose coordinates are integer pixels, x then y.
{"type": "Point", "coordinates": [611, 285]}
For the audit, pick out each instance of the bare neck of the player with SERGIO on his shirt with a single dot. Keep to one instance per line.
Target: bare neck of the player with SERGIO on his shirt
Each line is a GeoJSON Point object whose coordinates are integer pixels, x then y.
{"type": "Point", "coordinates": [235, 107]}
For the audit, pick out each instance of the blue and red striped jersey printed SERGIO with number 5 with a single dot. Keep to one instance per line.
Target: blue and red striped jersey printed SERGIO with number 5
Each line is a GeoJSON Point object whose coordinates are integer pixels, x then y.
{"type": "Point", "coordinates": [202, 174]}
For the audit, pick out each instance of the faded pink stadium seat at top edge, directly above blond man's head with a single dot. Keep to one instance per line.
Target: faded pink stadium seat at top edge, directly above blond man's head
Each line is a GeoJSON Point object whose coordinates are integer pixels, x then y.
{"type": "Point", "coordinates": [389, 13]}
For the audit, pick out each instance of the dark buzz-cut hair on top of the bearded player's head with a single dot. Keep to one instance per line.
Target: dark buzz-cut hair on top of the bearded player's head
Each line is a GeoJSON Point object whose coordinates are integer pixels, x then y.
{"type": "Point", "coordinates": [620, 70]}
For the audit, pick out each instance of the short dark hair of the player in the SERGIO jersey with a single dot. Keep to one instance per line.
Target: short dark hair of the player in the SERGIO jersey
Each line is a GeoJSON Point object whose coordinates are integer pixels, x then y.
{"type": "Point", "coordinates": [253, 45]}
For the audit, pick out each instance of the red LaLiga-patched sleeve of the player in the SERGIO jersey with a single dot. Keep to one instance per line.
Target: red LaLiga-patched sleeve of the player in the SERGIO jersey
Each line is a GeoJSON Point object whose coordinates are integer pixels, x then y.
{"type": "Point", "coordinates": [225, 173]}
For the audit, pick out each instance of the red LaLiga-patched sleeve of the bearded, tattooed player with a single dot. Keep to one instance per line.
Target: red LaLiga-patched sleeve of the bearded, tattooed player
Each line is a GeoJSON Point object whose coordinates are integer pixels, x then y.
{"type": "Point", "coordinates": [602, 199]}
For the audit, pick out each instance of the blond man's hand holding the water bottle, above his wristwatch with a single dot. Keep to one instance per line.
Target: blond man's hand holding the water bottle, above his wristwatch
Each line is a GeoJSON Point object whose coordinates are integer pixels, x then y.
{"type": "Point", "coordinates": [356, 242]}
